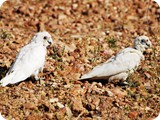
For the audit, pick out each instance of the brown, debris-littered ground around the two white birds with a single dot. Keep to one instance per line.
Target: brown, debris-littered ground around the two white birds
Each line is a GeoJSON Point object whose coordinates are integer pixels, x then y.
{"type": "Point", "coordinates": [86, 33]}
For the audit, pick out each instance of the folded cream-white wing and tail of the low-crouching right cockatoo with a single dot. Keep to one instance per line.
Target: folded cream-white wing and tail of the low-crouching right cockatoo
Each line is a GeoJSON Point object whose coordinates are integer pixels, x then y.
{"type": "Point", "coordinates": [125, 61]}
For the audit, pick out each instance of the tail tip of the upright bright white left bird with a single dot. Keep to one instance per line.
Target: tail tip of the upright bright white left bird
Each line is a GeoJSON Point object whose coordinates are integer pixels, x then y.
{"type": "Point", "coordinates": [6, 80]}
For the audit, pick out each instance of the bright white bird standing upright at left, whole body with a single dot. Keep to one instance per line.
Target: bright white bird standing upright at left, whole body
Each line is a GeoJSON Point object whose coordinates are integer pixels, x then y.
{"type": "Point", "coordinates": [29, 61]}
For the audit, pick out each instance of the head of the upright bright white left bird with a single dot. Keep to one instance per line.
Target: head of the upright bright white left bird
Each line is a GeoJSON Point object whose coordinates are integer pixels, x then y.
{"type": "Point", "coordinates": [43, 38]}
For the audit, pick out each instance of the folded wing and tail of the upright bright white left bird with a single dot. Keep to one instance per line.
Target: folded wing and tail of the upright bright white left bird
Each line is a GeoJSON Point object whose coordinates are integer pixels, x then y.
{"type": "Point", "coordinates": [29, 59]}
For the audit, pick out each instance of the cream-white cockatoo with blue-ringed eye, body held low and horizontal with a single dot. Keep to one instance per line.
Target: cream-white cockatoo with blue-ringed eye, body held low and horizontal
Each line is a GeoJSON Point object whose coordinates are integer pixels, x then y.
{"type": "Point", "coordinates": [119, 67]}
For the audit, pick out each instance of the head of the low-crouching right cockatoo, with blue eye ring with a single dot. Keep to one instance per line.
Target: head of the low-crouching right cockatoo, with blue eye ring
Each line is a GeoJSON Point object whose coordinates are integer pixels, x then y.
{"type": "Point", "coordinates": [141, 43]}
